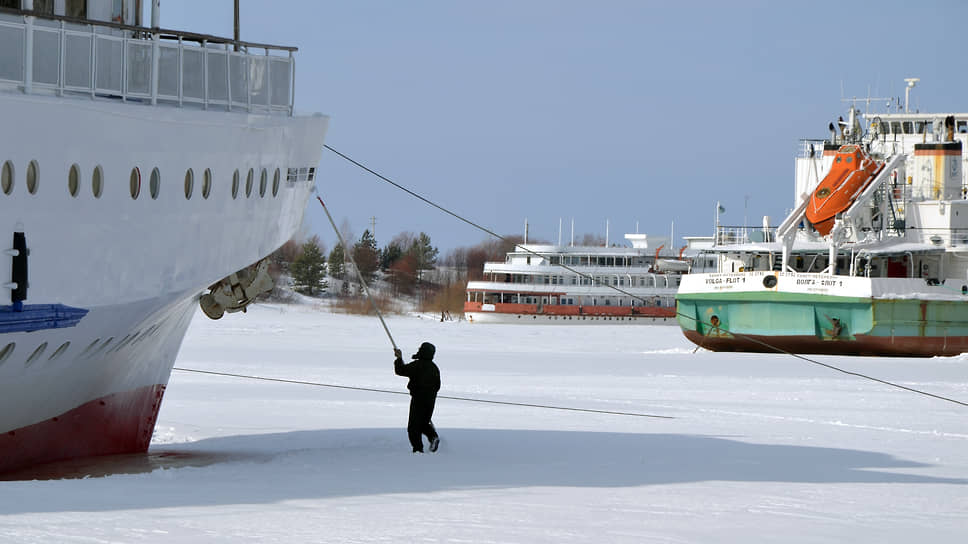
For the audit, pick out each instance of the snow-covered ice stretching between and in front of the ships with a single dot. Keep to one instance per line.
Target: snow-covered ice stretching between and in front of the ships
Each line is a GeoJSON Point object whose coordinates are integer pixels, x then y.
{"type": "Point", "coordinates": [762, 447]}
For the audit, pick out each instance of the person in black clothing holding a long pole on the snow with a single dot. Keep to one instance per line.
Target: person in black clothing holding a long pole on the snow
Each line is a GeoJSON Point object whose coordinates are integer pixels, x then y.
{"type": "Point", "coordinates": [424, 384]}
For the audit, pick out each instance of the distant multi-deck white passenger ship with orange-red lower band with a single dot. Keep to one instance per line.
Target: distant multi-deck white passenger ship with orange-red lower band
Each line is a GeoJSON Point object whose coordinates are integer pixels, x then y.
{"type": "Point", "coordinates": [601, 285]}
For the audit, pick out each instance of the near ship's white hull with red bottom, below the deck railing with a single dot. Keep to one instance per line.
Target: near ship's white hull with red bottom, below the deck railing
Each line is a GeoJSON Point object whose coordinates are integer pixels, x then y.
{"type": "Point", "coordinates": [135, 266]}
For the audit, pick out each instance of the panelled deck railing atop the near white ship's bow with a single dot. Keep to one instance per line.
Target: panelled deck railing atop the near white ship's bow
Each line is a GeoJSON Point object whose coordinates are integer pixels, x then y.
{"type": "Point", "coordinates": [65, 55]}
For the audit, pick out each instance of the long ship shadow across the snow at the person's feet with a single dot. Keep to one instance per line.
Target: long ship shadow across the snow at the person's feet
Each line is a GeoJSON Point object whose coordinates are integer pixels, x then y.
{"type": "Point", "coordinates": [356, 462]}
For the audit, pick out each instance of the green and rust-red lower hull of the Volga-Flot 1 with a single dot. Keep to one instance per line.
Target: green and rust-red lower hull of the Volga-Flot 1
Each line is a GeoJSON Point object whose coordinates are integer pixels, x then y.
{"type": "Point", "coordinates": [772, 321]}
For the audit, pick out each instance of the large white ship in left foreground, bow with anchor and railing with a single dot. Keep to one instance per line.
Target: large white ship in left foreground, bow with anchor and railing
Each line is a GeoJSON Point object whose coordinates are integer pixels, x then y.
{"type": "Point", "coordinates": [140, 165]}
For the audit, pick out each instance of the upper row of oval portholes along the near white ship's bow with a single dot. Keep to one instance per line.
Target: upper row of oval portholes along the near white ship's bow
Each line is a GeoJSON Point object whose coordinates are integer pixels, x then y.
{"type": "Point", "coordinates": [76, 179]}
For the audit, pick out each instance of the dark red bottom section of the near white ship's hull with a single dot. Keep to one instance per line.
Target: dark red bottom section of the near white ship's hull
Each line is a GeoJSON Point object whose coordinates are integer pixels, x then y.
{"type": "Point", "coordinates": [117, 423]}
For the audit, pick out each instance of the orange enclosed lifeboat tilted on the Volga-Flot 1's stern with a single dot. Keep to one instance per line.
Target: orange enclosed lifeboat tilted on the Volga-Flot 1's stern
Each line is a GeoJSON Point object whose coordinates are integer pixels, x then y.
{"type": "Point", "coordinates": [849, 175]}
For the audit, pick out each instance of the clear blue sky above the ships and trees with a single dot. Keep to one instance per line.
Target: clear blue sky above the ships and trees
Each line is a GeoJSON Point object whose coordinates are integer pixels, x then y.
{"type": "Point", "coordinates": [631, 111]}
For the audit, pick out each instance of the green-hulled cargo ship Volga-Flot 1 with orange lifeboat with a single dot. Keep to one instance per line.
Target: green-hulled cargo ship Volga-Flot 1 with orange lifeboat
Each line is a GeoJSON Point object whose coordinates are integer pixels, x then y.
{"type": "Point", "coordinates": [864, 265]}
